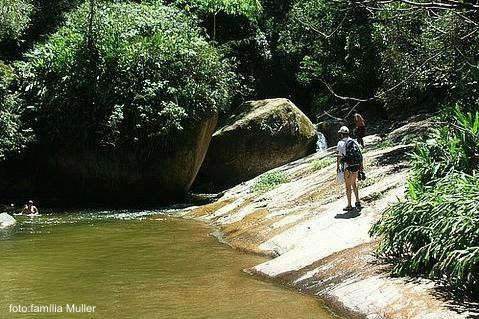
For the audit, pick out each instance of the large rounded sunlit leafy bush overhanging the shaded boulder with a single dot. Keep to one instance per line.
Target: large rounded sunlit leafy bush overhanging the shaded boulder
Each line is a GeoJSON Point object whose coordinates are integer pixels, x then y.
{"type": "Point", "coordinates": [140, 72]}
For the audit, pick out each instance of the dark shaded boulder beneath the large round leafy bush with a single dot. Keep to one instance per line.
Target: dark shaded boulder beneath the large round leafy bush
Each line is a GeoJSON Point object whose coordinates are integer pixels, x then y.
{"type": "Point", "coordinates": [166, 174]}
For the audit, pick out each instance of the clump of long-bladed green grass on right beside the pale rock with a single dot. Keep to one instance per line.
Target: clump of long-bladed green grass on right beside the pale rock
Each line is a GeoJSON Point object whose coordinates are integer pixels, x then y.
{"type": "Point", "coordinates": [434, 231]}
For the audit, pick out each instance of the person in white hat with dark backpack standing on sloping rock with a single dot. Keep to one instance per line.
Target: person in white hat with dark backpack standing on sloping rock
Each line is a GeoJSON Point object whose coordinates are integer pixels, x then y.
{"type": "Point", "coordinates": [349, 160]}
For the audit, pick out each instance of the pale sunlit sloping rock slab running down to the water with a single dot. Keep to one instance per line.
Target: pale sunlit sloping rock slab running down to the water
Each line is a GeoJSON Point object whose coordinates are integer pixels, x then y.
{"type": "Point", "coordinates": [319, 249]}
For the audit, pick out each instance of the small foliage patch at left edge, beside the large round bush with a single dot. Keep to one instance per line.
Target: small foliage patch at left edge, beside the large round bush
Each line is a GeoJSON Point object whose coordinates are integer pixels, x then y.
{"type": "Point", "coordinates": [14, 134]}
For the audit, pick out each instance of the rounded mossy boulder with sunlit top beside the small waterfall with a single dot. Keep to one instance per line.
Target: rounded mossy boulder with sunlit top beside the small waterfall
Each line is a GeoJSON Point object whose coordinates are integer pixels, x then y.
{"type": "Point", "coordinates": [258, 136]}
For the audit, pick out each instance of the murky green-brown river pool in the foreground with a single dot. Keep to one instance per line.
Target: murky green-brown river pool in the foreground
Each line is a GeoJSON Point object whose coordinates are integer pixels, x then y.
{"type": "Point", "coordinates": [134, 265]}
